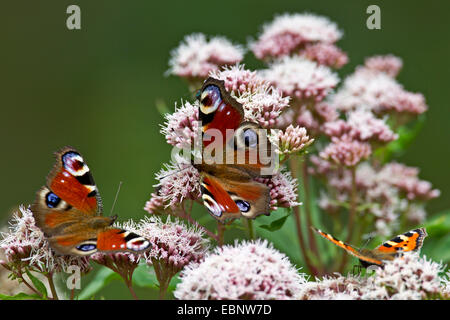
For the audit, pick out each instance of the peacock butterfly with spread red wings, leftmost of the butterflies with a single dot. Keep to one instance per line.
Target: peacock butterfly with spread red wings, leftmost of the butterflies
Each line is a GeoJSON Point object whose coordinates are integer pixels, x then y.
{"type": "Point", "coordinates": [68, 209]}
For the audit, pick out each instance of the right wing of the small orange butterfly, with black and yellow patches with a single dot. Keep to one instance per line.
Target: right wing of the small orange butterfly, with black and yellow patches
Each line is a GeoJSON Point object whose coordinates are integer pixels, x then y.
{"type": "Point", "coordinates": [408, 241]}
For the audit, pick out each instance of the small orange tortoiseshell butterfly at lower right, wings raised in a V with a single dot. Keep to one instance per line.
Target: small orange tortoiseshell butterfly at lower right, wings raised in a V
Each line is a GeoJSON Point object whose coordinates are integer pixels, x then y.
{"type": "Point", "coordinates": [388, 250]}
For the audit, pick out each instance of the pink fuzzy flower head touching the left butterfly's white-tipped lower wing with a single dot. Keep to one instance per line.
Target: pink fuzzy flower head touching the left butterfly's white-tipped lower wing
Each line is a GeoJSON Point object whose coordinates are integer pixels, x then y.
{"type": "Point", "coordinates": [173, 243]}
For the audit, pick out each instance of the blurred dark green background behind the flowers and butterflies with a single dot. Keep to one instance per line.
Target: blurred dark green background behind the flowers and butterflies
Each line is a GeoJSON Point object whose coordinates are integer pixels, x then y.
{"type": "Point", "coordinates": [96, 88]}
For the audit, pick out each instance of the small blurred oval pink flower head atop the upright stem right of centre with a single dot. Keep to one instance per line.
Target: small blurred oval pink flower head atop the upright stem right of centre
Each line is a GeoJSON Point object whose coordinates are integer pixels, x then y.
{"type": "Point", "coordinates": [346, 151]}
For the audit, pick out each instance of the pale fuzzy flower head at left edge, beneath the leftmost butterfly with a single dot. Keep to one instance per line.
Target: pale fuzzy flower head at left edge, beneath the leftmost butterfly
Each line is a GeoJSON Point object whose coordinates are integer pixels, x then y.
{"type": "Point", "coordinates": [25, 245]}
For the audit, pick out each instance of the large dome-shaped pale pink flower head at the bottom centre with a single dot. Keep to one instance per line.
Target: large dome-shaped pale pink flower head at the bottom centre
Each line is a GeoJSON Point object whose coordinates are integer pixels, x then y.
{"type": "Point", "coordinates": [250, 271]}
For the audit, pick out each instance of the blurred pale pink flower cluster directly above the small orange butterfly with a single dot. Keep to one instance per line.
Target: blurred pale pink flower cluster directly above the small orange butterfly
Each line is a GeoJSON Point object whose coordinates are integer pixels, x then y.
{"type": "Point", "coordinates": [388, 192]}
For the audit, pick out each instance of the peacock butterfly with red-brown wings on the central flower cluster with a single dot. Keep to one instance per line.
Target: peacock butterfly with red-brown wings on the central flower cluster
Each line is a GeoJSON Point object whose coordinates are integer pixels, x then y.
{"type": "Point", "coordinates": [229, 189]}
